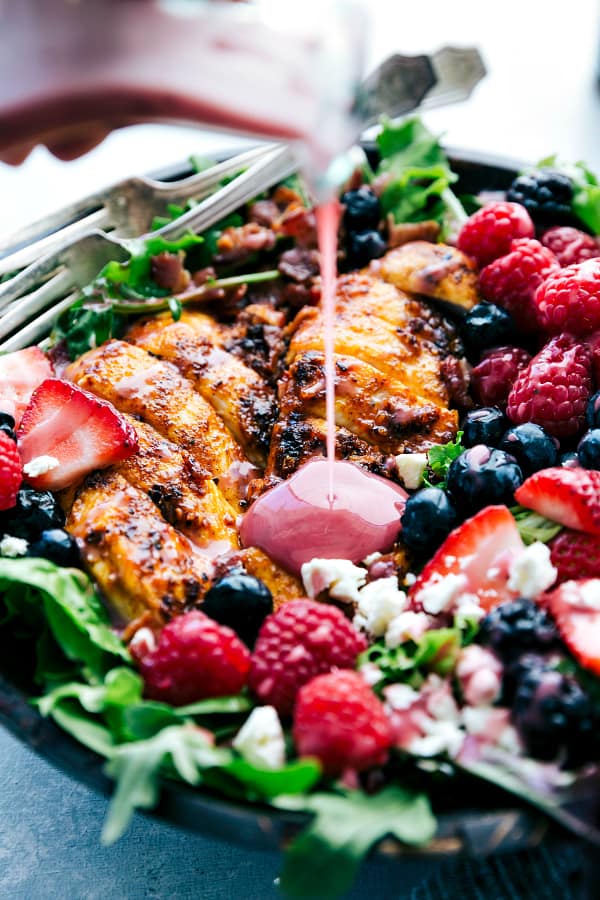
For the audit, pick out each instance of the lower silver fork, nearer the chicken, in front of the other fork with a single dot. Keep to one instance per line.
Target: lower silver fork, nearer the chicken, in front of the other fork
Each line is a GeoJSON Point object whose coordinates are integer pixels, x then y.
{"type": "Point", "coordinates": [31, 301]}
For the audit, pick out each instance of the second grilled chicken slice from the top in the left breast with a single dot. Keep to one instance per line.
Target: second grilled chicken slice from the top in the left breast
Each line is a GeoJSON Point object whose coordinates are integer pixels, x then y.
{"type": "Point", "coordinates": [154, 391]}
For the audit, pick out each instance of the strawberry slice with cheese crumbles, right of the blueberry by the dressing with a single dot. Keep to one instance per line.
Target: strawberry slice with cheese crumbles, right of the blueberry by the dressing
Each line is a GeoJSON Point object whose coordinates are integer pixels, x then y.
{"type": "Point", "coordinates": [480, 551]}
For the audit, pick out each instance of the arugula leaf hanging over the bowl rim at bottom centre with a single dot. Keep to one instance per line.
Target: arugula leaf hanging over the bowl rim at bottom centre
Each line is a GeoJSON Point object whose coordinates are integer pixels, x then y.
{"type": "Point", "coordinates": [324, 860]}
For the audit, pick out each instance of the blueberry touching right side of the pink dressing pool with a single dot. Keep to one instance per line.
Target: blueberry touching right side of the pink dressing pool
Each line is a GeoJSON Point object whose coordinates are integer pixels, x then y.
{"type": "Point", "coordinates": [428, 517]}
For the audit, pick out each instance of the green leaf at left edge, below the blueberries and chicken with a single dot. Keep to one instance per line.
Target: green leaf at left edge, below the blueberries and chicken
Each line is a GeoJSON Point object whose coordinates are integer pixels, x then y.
{"type": "Point", "coordinates": [74, 613]}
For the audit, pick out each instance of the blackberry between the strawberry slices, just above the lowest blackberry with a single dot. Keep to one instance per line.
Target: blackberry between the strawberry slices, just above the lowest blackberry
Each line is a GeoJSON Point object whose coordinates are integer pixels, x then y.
{"type": "Point", "coordinates": [514, 628]}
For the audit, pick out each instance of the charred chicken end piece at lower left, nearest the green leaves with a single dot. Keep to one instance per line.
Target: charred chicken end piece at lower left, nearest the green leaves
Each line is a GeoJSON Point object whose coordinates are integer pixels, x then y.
{"type": "Point", "coordinates": [142, 564]}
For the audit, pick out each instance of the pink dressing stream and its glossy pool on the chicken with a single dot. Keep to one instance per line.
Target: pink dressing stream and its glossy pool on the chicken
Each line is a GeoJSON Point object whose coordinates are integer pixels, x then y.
{"type": "Point", "coordinates": [329, 508]}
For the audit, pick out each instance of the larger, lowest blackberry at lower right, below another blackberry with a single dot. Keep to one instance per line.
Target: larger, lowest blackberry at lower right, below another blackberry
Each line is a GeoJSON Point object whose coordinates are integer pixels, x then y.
{"type": "Point", "coordinates": [556, 718]}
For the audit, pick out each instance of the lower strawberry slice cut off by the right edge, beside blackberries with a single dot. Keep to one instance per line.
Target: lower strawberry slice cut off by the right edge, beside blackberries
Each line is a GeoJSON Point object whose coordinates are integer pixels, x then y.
{"type": "Point", "coordinates": [575, 607]}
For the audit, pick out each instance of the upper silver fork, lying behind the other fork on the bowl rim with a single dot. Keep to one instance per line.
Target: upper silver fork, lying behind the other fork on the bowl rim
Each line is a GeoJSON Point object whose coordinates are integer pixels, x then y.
{"type": "Point", "coordinates": [127, 209]}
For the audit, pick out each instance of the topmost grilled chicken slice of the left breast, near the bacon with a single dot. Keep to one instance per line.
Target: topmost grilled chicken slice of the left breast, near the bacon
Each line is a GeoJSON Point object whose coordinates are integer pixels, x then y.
{"type": "Point", "coordinates": [239, 395]}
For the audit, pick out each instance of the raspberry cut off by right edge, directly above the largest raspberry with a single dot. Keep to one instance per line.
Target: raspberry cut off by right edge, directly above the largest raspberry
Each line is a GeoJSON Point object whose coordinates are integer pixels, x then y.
{"type": "Point", "coordinates": [569, 299]}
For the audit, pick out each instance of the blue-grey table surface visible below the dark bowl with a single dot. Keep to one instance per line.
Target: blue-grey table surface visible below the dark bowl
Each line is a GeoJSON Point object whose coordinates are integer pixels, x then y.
{"type": "Point", "coordinates": [50, 850]}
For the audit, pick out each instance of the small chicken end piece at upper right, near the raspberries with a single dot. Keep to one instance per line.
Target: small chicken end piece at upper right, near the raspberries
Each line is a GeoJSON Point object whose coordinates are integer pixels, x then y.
{"type": "Point", "coordinates": [435, 270]}
